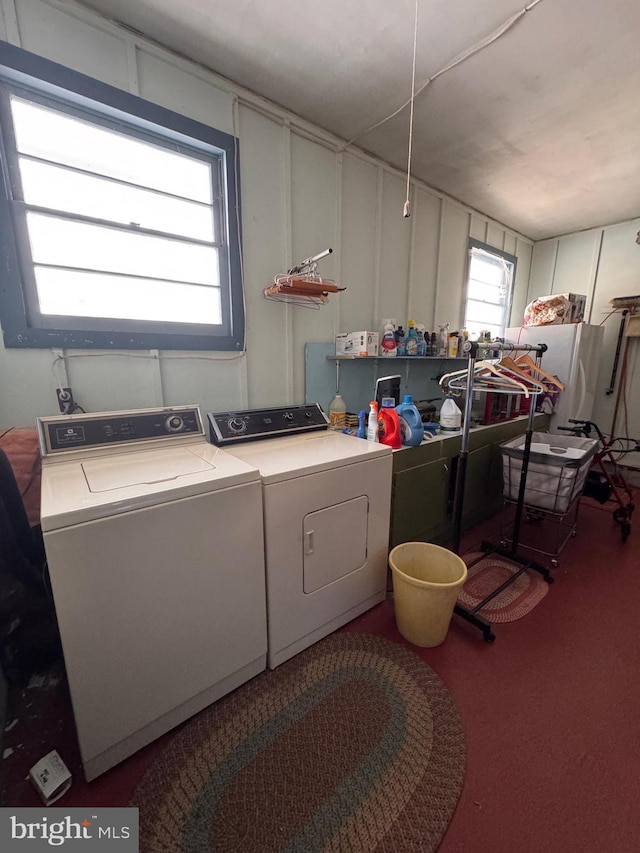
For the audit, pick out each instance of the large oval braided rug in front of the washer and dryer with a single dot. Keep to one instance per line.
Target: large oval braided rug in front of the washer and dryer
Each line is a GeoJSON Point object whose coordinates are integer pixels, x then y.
{"type": "Point", "coordinates": [353, 745]}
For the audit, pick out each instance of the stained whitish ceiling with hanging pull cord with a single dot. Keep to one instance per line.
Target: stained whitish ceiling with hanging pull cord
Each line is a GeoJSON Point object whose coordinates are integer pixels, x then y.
{"type": "Point", "coordinates": [540, 129]}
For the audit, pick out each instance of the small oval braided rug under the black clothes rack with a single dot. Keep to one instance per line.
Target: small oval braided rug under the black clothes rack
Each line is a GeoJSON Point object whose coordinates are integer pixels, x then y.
{"type": "Point", "coordinates": [514, 602]}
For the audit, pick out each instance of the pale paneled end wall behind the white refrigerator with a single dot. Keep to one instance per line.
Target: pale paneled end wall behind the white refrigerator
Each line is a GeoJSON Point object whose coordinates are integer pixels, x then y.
{"type": "Point", "coordinates": [601, 263]}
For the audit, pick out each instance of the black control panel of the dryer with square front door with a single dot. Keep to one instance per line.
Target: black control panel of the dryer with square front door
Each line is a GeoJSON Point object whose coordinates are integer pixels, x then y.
{"type": "Point", "coordinates": [252, 424]}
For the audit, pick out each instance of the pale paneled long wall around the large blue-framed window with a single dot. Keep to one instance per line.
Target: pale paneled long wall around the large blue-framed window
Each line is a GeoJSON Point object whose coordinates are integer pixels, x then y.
{"type": "Point", "coordinates": [300, 194]}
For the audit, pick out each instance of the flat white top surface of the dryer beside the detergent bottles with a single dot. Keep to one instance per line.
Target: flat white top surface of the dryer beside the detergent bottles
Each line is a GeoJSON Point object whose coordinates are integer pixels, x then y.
{"type": "Point", "coordinates": [296, 456]}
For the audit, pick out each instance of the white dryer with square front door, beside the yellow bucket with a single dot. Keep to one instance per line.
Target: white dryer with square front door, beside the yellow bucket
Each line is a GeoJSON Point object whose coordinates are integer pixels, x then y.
{"type": "Point", "coordinates": [327, 500]}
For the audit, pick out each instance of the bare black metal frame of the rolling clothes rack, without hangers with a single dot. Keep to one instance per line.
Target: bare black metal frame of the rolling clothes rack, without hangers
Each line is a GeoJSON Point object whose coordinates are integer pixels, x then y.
{"type": "Point", "coordinates": [471, 615]}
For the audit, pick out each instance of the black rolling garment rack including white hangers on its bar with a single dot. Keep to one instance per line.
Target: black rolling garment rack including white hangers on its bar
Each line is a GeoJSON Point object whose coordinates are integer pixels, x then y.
{"type": "Point", "coordinates": [470, 385]}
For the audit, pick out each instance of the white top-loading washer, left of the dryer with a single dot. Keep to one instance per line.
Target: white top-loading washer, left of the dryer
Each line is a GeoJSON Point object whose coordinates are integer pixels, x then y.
{"type": "Point", "coordinates": [154, 544]}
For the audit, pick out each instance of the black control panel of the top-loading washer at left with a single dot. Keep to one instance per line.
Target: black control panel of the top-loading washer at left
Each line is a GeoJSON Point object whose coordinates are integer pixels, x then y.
{"type": "Point", "coordinates": [81, 432]}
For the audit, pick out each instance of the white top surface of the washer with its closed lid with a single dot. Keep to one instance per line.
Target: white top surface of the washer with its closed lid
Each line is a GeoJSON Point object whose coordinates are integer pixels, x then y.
{"type": "Point", "coordinates": [74, 492]}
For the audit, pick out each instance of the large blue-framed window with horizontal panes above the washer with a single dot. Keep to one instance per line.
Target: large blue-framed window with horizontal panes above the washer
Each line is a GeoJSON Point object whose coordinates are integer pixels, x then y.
{"type": "Point", "coordinates": [120, 226]}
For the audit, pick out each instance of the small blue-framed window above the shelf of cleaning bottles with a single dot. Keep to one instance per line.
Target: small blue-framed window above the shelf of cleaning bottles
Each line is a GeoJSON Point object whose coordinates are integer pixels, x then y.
{"type": "Point", "coordinates": [489, 290]}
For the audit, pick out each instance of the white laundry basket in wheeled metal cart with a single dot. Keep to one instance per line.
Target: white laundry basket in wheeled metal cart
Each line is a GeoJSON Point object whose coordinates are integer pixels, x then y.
{"type": "Point", "coordinates": [557, 470]}
